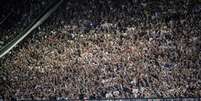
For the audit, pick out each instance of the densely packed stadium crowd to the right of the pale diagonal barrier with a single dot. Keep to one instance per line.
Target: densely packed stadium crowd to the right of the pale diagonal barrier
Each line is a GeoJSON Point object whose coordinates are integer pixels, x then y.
{"type": "Point", "coordinates": [110, 49]}
